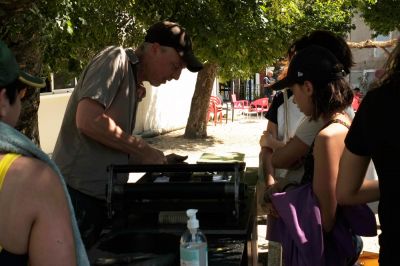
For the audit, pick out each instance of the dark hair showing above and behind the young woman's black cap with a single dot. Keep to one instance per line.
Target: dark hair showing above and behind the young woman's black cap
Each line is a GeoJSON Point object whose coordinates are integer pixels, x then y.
{"type": "Point", "coordinates": [334, 43]}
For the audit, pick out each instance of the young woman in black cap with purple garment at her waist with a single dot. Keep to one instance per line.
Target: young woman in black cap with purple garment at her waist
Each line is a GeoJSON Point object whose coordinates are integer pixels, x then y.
{"type": "Point", "coordinates": [309, 214]}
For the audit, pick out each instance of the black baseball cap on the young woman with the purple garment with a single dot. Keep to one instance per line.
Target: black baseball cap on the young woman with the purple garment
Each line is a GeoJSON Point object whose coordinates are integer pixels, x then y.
{"type": "Point", "coordinates": [314, 63]}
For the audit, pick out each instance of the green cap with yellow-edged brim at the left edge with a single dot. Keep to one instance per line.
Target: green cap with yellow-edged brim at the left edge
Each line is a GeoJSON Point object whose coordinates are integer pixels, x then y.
{"type": "Point", "coordinates": [9, 70]}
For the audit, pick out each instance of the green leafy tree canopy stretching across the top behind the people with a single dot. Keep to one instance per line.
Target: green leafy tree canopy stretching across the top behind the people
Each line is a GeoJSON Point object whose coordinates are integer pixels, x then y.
{"type": "Point", "coordinates": [235, 37]}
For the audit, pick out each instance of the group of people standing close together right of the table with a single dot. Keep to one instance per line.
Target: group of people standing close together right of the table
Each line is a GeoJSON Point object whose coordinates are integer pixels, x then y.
{"type": "Point", "coordinates": [333, 162]}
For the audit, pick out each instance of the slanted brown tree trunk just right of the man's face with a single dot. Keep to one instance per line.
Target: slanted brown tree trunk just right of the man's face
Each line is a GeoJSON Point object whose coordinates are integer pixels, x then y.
{"type": "Point", "coordinates": [196, 126]}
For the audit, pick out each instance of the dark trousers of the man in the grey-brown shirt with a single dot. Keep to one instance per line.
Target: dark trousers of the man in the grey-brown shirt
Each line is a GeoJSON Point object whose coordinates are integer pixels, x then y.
{"type": "Point", "coordinates": [90, 214]}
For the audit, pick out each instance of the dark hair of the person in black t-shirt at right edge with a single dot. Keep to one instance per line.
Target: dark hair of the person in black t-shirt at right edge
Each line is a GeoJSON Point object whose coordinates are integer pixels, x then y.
{"type": "Point", "coordinates": [391, 76]}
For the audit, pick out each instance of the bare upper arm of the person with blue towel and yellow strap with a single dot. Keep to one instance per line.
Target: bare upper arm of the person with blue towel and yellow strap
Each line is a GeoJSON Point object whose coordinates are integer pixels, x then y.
{"type": "Point", "coordinates": [51, 240]}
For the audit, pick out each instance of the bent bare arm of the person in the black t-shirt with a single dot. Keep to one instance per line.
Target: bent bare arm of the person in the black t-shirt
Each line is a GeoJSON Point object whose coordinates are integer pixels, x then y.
{"type": "Point", "coordinates": [352, 188]}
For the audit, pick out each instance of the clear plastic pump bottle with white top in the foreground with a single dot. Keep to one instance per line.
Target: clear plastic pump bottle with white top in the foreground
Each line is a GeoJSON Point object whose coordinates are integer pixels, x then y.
{"type": "Point", "coordinates": [193, 247]}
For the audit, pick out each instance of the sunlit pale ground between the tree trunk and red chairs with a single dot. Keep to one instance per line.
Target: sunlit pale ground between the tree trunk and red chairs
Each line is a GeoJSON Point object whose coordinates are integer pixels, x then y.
{"type": "Point", "coordinates": [242, 136]}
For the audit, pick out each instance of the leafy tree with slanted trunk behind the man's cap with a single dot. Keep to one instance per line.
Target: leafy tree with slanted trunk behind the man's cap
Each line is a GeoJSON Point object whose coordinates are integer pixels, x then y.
{"type": "Point", "coordinates": [241, 37]}
